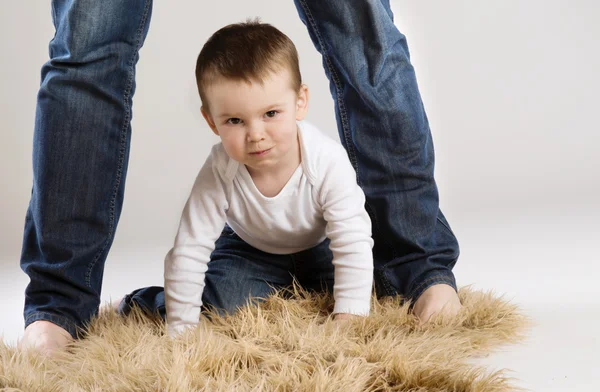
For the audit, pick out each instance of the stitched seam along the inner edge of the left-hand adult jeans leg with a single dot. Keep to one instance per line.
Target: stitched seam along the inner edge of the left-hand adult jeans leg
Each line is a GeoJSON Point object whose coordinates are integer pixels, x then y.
{"type": "Point", "coordinates": [123, 138]}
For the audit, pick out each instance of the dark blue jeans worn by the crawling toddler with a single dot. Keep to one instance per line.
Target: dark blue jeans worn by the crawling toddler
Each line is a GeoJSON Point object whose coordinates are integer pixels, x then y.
{"type": "Point", "coordinates": [238, 272]}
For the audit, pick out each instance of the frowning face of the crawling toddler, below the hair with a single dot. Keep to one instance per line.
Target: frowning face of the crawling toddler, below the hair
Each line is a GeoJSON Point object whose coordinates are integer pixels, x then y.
{"type": "Point", "coordinates": [257, 123]}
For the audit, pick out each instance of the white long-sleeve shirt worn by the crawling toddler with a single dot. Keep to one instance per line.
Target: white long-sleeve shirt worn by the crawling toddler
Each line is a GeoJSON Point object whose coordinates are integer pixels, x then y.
{"type": "Point", "coordinates": [321, 199]}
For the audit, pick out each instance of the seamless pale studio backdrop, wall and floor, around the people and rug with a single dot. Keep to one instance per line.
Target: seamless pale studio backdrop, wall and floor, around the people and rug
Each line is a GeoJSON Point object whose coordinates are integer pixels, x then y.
{"type": "Point", "coordinates": [511, 89]}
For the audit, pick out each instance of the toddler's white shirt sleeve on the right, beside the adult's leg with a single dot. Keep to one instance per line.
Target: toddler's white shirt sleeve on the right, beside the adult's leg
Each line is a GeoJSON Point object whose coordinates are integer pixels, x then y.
{"type": "Point", "coordinates": [349, 230]}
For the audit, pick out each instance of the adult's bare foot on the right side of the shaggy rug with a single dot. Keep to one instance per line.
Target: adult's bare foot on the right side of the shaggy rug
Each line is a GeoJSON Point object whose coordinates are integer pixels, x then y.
{"type": "Point", "coordinates": [439, 298]}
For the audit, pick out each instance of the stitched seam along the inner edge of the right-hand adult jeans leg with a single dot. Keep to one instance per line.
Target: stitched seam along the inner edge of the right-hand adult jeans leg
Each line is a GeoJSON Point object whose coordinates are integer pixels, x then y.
{"type": "Point", "coordinates": [343, 112]}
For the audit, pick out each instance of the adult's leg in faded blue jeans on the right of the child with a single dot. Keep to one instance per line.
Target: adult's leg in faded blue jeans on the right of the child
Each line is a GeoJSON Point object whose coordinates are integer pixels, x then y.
{"type": "Point", "coordinates": [384, 128]}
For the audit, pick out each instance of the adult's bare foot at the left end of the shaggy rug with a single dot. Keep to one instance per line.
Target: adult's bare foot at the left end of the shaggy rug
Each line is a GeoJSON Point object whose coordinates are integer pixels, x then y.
{"type": "Point", "coordinates": [45, 337]}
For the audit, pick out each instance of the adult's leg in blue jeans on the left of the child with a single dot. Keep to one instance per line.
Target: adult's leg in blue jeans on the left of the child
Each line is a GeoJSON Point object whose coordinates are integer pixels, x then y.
{"type": "Point", "coordinates": [81, 149]}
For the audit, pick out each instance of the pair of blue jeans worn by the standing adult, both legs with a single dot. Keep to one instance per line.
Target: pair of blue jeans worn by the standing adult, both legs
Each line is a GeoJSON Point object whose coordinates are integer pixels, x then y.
{"type": "Point", "coordinates": [82, 135]}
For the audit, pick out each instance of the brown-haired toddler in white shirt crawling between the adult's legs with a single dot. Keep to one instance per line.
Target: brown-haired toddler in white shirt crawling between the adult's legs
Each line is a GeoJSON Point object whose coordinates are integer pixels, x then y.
{"type": "Point", "coordinates": [275, 200]}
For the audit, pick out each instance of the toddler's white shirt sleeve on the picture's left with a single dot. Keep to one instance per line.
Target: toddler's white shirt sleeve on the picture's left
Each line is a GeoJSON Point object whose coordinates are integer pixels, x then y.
{"type": "Point", "coordinates": [202, 221]}
